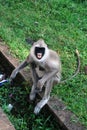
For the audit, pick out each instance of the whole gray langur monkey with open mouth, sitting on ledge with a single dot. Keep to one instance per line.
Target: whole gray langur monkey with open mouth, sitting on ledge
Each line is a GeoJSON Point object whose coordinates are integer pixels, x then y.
{"type": "Point", "coordinates": [45, 67]}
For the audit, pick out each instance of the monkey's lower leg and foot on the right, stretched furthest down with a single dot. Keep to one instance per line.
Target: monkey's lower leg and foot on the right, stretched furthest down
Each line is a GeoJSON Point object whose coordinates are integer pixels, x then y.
{"type": "Point", "coordinates": [46, 97]}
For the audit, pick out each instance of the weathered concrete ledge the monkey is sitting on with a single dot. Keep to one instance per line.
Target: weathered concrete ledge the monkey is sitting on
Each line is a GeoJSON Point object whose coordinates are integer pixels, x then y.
{"type": "Point", "coordinates": [66, 119]}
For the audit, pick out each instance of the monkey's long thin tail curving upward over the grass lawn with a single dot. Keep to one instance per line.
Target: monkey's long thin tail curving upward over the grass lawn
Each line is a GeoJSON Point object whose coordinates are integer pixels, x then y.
{"type": "Point", "coordinates": [77, 70]}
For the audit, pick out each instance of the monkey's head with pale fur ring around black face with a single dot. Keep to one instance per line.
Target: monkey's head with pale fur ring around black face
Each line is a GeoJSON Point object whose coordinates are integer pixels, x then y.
{"type": "Point", "coordinates": [39, 50]}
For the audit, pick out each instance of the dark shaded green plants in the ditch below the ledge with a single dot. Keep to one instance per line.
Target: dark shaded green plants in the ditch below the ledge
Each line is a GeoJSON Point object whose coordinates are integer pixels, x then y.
{"type": "Point", "coordinates": [22, 116]}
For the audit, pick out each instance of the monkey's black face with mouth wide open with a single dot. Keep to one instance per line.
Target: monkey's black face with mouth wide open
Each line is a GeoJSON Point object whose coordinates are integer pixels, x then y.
{"type": "Point", "coordinates": [39, 52]}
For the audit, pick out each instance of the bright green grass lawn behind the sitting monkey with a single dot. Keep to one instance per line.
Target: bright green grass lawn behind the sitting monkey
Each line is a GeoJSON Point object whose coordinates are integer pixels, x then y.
{"type": "Point", "coordinates": [63, 26]}
